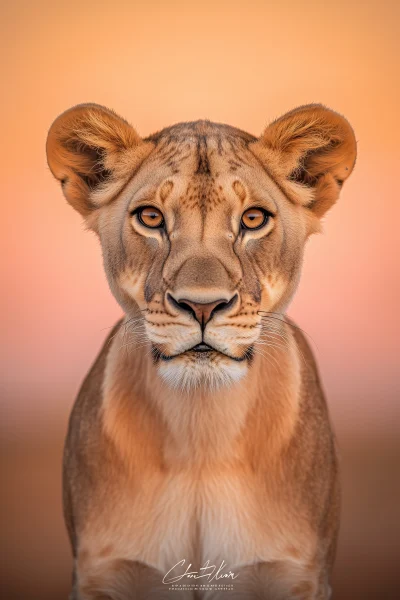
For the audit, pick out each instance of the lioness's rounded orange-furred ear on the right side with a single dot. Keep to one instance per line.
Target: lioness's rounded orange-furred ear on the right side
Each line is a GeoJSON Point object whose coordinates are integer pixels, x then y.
{"type": "Point", "coordinates": [311, 149]}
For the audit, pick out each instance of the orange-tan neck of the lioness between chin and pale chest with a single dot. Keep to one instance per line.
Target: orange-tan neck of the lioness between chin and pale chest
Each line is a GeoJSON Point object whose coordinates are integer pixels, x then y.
{"type": "Point", "coordinates": [202, 426]}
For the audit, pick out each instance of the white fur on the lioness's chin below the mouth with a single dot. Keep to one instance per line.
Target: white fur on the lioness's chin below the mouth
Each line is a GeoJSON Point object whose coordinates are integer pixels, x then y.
{"type": "Point", "coordinates": [183, 376]}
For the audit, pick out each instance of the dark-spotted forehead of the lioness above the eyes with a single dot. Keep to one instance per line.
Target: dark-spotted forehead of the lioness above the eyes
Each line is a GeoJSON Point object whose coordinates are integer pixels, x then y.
{"type": "Point", "coordinates": [202, 165]}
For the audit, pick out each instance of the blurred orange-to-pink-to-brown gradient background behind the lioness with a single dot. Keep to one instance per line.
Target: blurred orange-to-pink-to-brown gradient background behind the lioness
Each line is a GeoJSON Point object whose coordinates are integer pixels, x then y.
{"type": "Point", "coordinates": [157, 63]}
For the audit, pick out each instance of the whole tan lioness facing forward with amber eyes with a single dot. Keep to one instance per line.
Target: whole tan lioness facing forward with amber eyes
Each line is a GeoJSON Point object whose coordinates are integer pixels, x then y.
{"type": "Point", "coordinates": [199, 449]}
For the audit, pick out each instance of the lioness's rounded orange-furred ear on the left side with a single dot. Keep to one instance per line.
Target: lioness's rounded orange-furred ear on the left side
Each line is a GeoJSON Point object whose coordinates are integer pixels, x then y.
{"type": "Point", "coordinates": [92, 152]}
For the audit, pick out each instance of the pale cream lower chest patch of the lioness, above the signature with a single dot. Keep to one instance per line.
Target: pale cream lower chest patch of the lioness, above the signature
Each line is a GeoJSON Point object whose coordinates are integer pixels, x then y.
{"type": "Point", "coordinates": [216, 517]}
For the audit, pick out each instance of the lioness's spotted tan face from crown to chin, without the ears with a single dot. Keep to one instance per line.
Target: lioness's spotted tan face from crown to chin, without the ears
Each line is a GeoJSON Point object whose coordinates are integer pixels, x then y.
{"type": "Point", "coordinates": [203, 245]}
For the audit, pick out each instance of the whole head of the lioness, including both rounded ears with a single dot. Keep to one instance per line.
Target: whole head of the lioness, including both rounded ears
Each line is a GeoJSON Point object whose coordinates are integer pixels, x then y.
{"type": "Point", "coordinates": [202, 226]}
